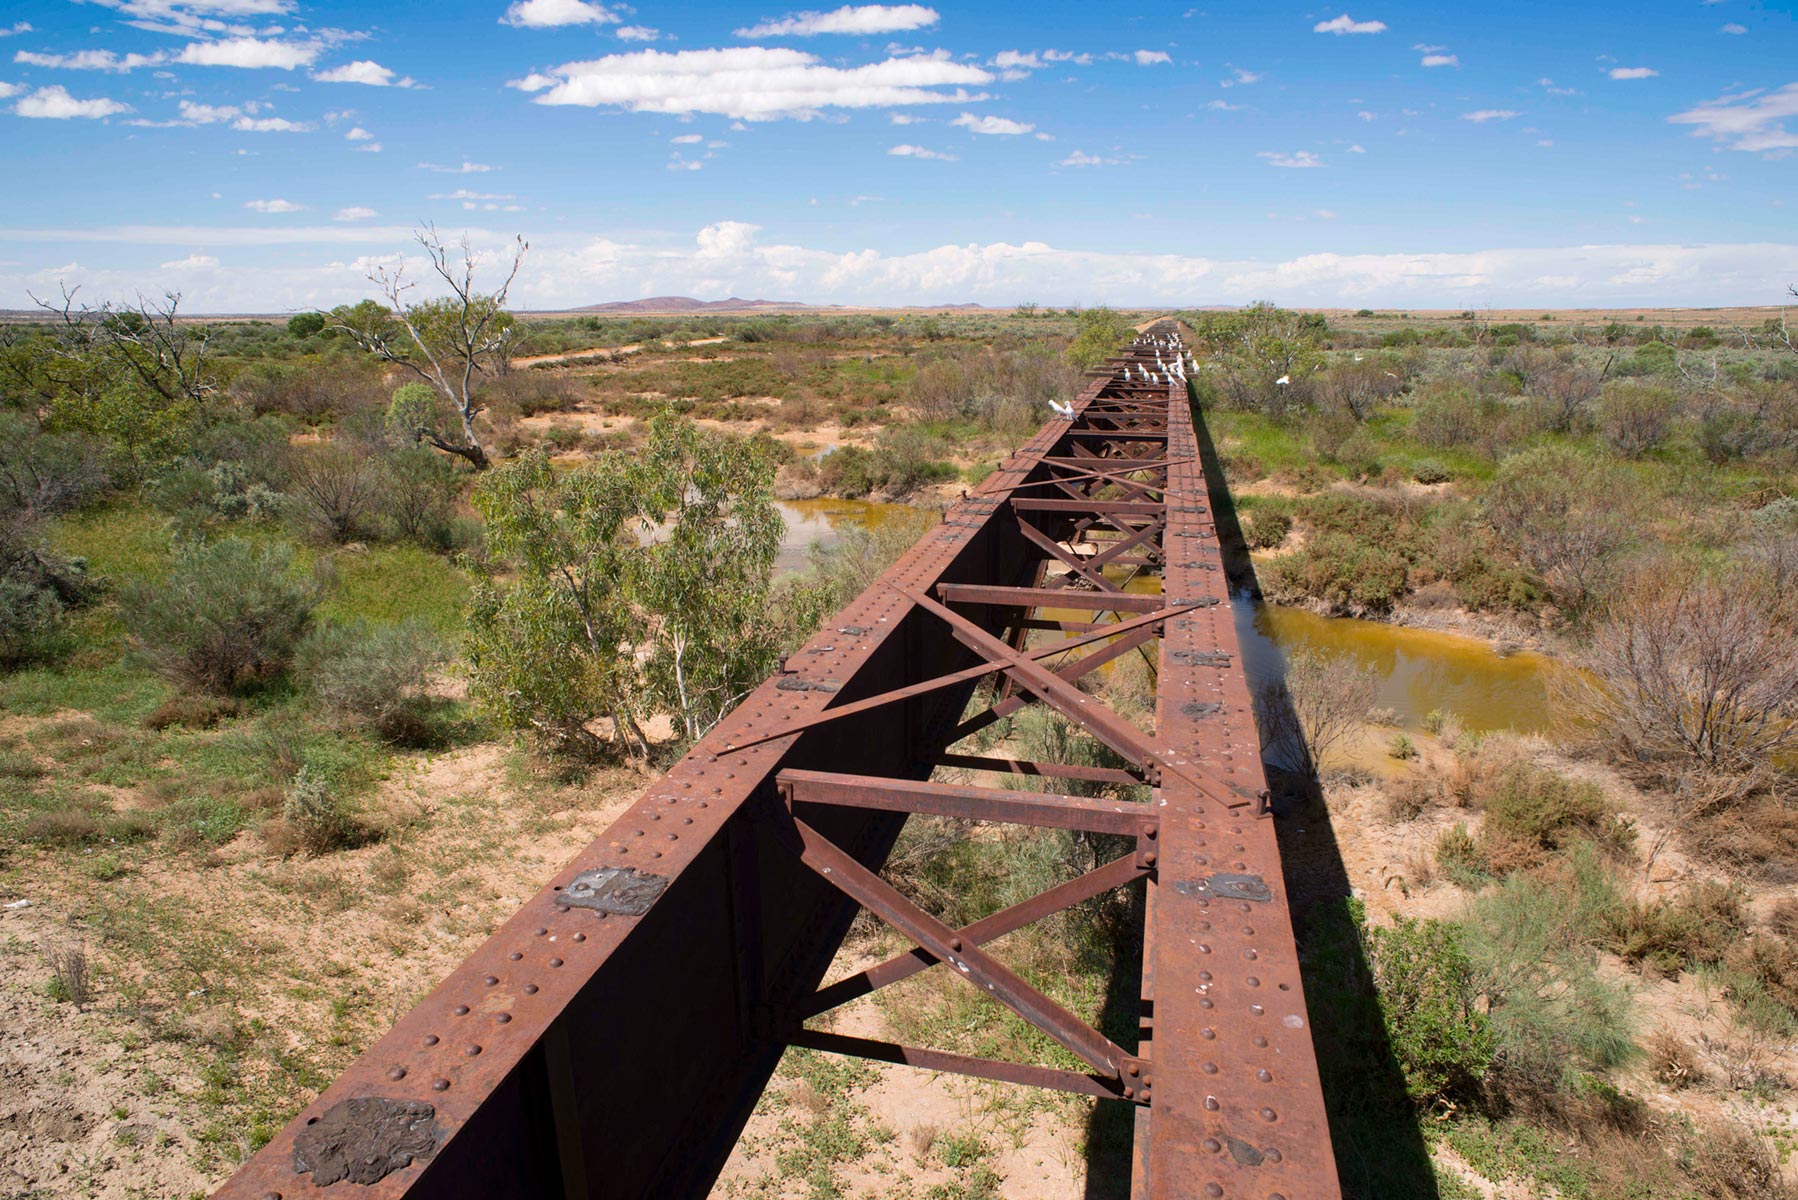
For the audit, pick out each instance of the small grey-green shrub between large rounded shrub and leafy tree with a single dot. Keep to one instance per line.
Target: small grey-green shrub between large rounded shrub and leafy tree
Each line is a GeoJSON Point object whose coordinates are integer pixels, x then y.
{"type": "Point", "coordinates": [373, 674]}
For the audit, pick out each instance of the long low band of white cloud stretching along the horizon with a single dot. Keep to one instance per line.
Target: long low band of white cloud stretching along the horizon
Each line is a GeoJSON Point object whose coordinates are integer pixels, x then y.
{"type": "Point", "coordinates": [725, 258]}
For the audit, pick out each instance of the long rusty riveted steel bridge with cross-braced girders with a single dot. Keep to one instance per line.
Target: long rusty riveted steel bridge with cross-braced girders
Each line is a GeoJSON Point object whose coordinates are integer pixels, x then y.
{"type": "Point", "coordinates": [614, 1037]}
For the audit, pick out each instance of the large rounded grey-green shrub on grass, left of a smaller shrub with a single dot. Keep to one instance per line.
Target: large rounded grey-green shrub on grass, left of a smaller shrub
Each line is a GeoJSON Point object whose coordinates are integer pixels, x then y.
{"type": "Point", "coordinates": [226, 620]}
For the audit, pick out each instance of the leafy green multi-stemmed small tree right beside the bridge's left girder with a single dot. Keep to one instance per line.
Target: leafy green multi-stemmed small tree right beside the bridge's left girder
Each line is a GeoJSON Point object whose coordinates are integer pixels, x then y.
{"type": "Point", "coordinates": [639, 584]}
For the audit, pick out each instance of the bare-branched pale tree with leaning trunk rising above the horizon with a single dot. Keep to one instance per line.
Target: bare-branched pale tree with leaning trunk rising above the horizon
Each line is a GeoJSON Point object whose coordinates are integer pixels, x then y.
{"type": "Point", "coordinates": [447, 343]}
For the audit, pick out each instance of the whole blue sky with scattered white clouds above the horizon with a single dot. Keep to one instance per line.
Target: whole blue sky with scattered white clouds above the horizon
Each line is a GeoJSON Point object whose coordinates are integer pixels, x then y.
{"type": "Point", "coordinates": [262, 156]}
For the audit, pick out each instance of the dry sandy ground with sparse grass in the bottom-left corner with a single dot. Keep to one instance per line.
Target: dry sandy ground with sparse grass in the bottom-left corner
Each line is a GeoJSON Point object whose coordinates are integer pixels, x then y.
{"type": "Point", "coordinates": [208, 969]}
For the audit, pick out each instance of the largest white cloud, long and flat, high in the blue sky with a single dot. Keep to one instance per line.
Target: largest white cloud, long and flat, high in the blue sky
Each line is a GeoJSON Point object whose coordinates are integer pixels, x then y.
{"type": "Point", "coordinates": [754, 84]}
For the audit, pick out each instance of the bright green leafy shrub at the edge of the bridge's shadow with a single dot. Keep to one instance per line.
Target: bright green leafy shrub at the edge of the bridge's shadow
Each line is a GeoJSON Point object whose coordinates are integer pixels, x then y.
{"type": "Point", "coordinates": [1430, 999]}
